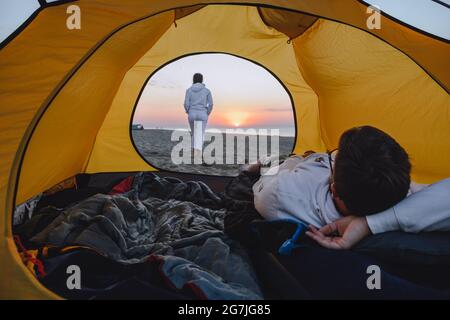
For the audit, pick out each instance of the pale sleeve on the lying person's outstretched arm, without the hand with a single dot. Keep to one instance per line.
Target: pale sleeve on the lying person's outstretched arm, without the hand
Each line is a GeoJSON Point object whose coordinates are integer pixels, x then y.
{"type": "Point", "coordinates": [425, 210]}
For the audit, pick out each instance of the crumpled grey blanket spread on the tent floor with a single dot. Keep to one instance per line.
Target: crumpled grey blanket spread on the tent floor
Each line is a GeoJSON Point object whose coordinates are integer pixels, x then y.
{"type": "Point", "coordinates": [178, 224]}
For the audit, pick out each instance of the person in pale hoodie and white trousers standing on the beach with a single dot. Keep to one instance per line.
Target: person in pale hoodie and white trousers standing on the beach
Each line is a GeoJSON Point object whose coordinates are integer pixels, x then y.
{"type": "Point", "coordinates": [198, 105]}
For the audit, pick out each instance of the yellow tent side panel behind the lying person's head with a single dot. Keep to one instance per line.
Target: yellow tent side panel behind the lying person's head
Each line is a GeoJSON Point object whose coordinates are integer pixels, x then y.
{"type": "Point", "coordinates": [372, 78]}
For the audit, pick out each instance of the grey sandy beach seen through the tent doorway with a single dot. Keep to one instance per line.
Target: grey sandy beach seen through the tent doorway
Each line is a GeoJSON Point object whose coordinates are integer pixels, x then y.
{"type": "Point", "coordinates": [155, 146]}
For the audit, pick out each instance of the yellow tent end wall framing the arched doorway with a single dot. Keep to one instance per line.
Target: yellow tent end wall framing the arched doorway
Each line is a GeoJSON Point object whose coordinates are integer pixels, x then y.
{"type": "Point", "coordinates": [113, 149]}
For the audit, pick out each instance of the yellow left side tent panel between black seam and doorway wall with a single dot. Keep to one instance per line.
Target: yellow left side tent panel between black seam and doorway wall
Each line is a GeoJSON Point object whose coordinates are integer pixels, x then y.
{"type": "Point", "coordinates": [79, 110]}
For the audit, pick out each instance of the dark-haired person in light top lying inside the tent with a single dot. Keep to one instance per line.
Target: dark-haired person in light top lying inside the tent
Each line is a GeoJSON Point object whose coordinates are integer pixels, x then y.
{"type": "Point", "coordinates": [359, 190]}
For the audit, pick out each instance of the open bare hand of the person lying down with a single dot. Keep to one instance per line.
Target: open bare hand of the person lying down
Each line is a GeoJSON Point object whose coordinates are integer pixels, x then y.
{"type": "Point", "coordinates": [340, 234]}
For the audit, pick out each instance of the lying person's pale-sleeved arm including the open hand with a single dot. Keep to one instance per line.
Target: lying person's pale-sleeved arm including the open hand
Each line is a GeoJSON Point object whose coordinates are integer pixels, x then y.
{"type": "Point", "coordinates": [425, 210]}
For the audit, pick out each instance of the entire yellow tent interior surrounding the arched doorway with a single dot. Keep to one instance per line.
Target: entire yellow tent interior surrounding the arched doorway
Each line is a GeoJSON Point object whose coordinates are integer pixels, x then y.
{"type": "Point", "coordinates": [67, 96]}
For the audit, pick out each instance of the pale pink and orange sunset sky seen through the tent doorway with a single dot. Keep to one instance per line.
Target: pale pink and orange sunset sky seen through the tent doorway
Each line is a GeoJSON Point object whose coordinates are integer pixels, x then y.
{"type": "Point", "coordinates": [245, 95]}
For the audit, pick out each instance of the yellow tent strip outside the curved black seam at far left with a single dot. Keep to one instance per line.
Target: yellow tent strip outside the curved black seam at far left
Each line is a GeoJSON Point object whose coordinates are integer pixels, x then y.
{"type": "Point", "coordinates": [37, 73]}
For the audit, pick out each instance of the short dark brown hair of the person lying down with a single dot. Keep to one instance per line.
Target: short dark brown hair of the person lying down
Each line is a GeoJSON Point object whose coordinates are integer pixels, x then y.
{"type": "Point", "coordinates": [371, 171]}
